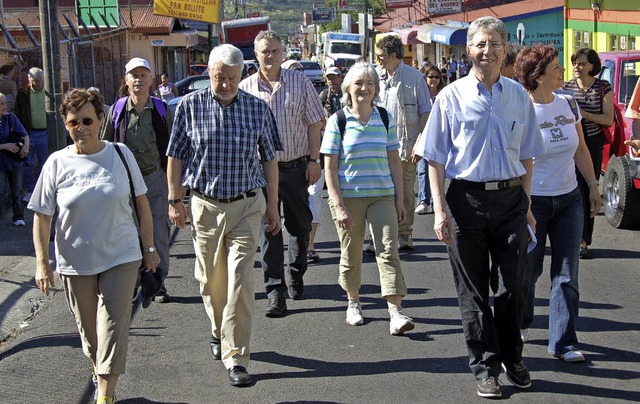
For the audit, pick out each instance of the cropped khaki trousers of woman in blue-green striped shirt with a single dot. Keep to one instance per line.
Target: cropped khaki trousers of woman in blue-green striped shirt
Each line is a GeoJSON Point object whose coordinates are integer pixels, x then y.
{"type": "Point", "coordinates": [380, 212]}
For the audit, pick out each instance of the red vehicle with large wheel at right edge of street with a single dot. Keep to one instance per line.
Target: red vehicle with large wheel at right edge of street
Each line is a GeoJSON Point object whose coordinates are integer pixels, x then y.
{"type": "Point", "coordinates": [621, 184]}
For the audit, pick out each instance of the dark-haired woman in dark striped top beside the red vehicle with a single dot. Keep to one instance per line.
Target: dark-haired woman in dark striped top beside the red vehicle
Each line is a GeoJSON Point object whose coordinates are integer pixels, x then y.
{"type": "Point", "coordinates": [595, 99]}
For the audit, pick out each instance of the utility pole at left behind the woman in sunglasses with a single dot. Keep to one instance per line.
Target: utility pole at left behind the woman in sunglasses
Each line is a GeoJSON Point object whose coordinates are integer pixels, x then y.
{"type": "Point", "coordinates": [52, 73]}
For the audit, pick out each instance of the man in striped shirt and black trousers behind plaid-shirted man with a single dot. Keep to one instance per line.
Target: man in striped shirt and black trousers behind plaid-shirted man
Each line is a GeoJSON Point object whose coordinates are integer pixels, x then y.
{"type": "Point", "coordinates": [300, 117]}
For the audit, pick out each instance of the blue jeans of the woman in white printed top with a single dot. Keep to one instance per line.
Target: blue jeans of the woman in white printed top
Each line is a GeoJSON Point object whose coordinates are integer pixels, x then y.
{"type": "Point", "coordinates": [560, 218]}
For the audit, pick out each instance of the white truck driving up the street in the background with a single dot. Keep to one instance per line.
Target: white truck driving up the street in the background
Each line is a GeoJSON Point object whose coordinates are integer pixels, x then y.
{"type": "Point", "coordinates": [341, 50]}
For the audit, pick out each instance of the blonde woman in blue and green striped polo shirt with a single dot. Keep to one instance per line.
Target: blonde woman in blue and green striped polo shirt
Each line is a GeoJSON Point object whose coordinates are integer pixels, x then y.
{"type": "Point", "coordinates": [364, 179]}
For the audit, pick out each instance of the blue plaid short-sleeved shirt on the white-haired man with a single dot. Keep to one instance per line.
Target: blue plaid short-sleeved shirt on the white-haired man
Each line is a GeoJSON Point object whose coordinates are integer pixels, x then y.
{"type": "Point", "coordinates": [221, 147]}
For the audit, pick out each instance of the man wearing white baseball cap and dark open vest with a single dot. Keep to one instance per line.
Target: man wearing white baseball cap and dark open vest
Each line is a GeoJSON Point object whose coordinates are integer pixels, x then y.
{"type": "Point", "coordinates": [143, 123]}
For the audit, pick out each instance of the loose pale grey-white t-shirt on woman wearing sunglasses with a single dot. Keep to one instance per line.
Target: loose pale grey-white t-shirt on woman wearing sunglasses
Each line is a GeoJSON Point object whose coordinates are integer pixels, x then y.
{"type": "Point", "coordinates": [95, 230]}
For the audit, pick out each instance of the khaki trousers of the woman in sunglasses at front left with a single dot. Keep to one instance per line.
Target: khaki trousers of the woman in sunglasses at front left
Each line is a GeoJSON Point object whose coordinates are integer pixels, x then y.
{"type": "Point", "coordinates": [101, 305]}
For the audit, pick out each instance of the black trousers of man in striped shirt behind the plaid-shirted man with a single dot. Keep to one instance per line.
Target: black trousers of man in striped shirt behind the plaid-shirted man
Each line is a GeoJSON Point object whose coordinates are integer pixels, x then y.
{"type": "Point", "coordinates": [294, 200]}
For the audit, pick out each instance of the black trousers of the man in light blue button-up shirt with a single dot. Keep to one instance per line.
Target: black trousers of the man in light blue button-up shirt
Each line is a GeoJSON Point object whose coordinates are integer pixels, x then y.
{"type": "Point", "coordinates": [489, 223]}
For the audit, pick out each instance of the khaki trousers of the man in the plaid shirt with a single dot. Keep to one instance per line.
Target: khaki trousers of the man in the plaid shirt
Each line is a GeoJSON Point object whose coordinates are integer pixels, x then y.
{"type": "Point", "coordinates": [225, 239]}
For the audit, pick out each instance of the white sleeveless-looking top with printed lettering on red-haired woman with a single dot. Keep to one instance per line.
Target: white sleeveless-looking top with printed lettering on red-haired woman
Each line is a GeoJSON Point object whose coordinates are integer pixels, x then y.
{"type": "Point", "coordinates": [554, 172]}
